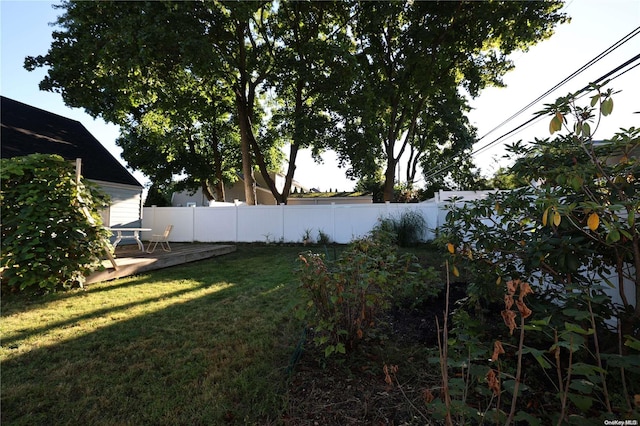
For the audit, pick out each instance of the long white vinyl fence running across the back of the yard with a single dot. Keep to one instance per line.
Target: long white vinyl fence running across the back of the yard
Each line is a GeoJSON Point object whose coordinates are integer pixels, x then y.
{"type": "Point", "coordinates": [241, 223]}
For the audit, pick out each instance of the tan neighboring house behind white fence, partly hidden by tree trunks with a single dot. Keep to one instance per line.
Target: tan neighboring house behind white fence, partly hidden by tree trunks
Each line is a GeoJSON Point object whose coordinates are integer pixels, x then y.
{"type": "Point", "coordinates": [236, 192]}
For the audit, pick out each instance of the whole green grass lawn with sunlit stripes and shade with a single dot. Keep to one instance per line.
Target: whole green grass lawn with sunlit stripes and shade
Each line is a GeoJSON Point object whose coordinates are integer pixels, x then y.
{"type": "Point", "coordinates": [203, 343]}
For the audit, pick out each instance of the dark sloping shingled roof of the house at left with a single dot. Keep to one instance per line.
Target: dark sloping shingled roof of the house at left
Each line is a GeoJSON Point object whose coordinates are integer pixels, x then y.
{"type": "Point", "coordinates": [29, 130]}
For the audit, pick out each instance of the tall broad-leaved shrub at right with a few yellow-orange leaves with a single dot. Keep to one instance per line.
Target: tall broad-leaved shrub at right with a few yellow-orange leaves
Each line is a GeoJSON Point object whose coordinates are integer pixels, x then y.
{"type": "Point", "coordinates": [572, 226]}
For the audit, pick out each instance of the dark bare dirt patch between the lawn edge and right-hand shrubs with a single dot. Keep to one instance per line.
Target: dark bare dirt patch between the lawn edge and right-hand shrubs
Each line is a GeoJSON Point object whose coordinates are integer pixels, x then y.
{"type": "Point", "coordinates": [359, 392]}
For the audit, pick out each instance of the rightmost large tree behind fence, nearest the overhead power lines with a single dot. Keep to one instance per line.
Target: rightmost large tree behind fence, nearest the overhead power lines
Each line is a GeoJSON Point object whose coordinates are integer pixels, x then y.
{"type": "Point", "coordinates": [411, 54]}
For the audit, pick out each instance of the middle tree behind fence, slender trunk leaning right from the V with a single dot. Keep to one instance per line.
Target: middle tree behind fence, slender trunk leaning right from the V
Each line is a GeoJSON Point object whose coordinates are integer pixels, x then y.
{"type": "Point", "coordinates": [312, 69]}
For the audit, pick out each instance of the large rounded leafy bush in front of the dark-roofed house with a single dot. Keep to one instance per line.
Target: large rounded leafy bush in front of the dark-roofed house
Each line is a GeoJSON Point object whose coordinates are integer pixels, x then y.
{"type": "Point", "coordinates": [48, 243]}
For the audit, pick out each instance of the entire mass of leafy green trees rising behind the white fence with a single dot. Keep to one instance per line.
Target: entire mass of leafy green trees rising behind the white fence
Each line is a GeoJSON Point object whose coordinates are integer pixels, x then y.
{"type": "Point", "coordinates": [208, 89]}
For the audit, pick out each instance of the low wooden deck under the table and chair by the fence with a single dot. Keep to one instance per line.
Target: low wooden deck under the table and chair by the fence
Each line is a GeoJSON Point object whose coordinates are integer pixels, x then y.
{"type": "Point", "coordinates": [131, 260]}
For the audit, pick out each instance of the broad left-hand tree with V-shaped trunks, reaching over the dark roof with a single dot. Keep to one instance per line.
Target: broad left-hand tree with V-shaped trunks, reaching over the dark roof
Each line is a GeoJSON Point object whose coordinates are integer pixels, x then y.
{"type": "Point", "coordinates": [158, 68]}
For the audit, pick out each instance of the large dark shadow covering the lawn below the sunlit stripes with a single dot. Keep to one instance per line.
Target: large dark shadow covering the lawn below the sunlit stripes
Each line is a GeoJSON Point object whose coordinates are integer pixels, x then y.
{"type": "Point", "coordinates": [216, 358]}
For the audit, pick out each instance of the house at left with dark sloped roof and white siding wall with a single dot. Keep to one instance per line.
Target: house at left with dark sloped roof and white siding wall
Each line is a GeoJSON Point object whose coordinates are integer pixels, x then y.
{"type": "Point", "coordinates": [29, 130]}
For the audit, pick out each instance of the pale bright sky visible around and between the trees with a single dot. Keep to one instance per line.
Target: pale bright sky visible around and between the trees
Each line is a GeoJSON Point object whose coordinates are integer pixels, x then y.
{"type": "Point", "coordinates": [595, 25]}
